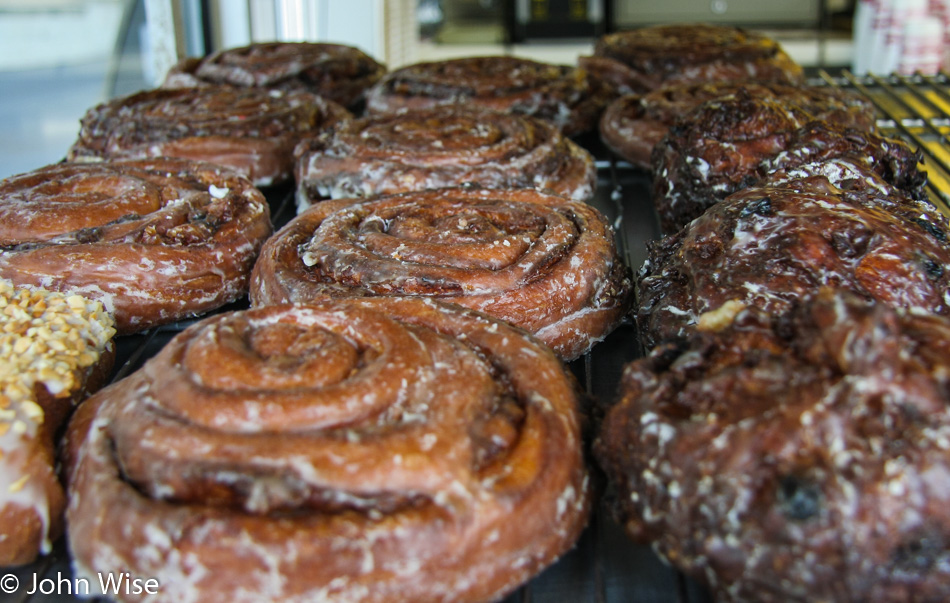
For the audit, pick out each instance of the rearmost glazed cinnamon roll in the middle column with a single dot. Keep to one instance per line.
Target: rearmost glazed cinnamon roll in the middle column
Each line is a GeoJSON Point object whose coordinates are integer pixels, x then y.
{"type": "Point", "coordinates": [561, 95]}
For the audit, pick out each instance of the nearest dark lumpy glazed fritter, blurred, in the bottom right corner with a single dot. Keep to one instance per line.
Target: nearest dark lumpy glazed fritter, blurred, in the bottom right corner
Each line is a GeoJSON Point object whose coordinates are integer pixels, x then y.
{"type": "Point", "coordinates": [799, 459]}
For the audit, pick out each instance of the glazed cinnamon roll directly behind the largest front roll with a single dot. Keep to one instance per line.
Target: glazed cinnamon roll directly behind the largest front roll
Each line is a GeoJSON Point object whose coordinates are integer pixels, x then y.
{"type": "Point", "coordinates": [536, 260]}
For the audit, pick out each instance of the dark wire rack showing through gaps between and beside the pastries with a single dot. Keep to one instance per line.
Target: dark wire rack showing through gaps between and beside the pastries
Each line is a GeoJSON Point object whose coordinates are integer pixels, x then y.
{"type": "Point", "coordinates": [604, 567]}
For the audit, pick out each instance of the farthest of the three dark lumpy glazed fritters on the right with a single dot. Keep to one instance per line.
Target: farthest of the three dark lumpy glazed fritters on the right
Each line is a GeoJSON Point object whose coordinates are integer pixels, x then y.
{"type": "Point", "coordinates": [730, 143]}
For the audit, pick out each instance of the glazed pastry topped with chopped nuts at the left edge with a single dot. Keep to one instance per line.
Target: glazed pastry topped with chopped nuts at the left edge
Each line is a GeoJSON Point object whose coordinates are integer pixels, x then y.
{"type": "Point", "coordinates": [54, 349]}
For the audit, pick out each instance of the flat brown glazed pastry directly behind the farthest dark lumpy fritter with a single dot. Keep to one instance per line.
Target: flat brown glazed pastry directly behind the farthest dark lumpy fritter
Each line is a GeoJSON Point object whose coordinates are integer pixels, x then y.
{"type": "Point", "coordinates": [632, 125]}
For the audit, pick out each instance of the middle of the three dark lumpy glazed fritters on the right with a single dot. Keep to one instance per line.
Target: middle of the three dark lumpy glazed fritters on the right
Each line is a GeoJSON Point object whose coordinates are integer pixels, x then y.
{"type": "Point", "coordinates": [772, 245]}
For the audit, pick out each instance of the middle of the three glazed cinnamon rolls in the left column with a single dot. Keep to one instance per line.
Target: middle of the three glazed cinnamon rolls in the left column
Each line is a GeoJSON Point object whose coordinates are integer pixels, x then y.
{"type": "Point", "coordinates": [250, 130]}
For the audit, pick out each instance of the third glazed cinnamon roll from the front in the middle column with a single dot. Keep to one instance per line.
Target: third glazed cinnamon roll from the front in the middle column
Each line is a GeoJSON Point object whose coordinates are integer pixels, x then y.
{"type": "Point", "coordinates": [441, 147]}
